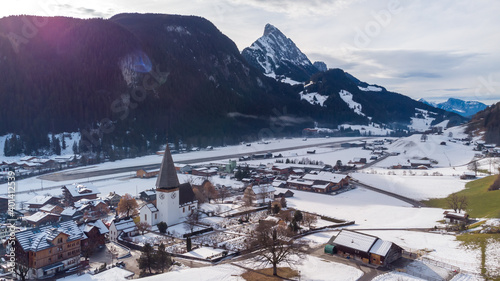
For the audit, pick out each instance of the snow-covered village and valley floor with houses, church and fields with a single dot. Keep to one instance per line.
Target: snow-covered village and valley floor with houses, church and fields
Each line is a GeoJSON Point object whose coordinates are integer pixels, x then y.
{"type": "Point", "coordinates": [362, 207]}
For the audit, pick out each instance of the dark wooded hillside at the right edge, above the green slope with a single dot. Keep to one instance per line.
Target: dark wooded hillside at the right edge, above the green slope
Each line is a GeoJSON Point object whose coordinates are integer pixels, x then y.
{"type": "Point", "coordinates": [486, 123]}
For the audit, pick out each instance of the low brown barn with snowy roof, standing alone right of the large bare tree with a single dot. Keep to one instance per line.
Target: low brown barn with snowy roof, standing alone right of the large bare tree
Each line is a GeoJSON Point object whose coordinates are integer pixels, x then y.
{"type": "Point", "coordinates": [363, 247]}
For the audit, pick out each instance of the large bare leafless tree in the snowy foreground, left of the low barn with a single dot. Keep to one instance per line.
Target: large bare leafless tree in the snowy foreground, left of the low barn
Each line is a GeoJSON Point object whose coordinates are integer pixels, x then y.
{"type": "Point", "coordinates": [276, 245]}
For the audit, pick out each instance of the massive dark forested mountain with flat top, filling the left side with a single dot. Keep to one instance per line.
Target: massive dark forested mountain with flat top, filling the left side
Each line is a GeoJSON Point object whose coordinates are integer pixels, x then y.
{"type": "Point", "coordinates": [143, 77]}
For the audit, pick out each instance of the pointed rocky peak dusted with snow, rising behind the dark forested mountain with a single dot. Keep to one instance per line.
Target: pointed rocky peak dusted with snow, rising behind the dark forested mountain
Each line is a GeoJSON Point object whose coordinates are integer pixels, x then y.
{"type": "Point", "coordinates": [276, 55]}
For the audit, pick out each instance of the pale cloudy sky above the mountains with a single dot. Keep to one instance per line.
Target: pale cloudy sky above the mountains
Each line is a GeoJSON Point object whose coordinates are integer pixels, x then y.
{"type": "Point", "coordinates": [429, 49]}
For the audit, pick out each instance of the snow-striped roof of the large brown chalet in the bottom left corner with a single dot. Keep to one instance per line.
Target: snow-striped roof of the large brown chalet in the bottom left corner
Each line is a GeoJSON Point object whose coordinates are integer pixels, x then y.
{"type": "Point", "coordinates": [40, 238]}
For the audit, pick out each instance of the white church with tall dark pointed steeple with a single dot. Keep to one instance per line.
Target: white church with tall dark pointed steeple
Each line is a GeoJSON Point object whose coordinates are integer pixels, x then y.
{"type": "Point", "coordinates": [174, 201]}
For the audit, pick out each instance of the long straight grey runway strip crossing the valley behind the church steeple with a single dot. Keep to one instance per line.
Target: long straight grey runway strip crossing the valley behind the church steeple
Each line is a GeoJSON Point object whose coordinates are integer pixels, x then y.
{"type": "Point", "coordinates": [73, 175]}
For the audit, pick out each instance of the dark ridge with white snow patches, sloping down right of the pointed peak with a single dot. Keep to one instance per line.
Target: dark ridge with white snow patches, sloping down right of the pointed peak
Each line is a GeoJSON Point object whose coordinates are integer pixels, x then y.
{"type": "Point", "coordinates": [356, 102]}
